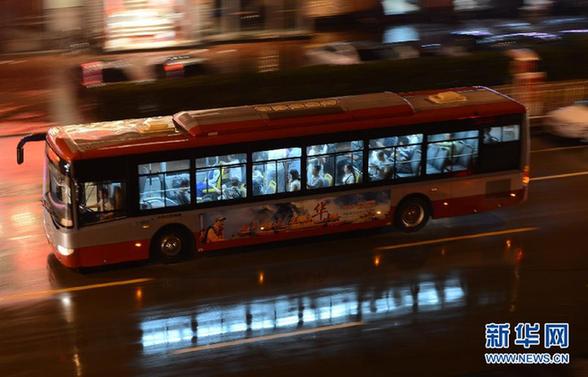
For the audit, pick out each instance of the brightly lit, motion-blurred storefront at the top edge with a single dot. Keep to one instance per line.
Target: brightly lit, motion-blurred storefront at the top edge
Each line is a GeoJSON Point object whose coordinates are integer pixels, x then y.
{"type": "Point", "coordinates": [121, 24]}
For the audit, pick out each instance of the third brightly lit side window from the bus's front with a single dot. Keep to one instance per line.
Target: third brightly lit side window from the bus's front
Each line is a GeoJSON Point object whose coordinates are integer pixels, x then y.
{"type": "Point", "coordinates": [276, 171]}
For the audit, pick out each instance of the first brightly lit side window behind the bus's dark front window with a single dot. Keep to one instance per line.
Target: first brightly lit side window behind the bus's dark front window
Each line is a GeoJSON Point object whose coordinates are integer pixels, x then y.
{"type": "Point", "coordinates": [164, 184]}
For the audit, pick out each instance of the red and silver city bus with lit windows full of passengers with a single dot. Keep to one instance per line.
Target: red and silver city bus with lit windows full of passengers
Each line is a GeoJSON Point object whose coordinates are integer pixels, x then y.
{"type": "Point", "coordinates": [198, 181]}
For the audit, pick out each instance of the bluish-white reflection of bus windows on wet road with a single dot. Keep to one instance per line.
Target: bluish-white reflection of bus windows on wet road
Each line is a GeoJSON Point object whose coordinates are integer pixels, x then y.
{"type": "Point", "coordinates": [328, 307]}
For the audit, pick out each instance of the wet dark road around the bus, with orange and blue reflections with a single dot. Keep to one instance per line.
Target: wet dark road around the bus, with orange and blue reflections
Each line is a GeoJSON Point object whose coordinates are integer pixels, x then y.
{"type": "Point", "coordinates": [375, 303]}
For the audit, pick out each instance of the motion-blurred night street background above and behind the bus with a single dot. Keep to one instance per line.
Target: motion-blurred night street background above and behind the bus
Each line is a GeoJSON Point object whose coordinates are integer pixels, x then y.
{"type": "Point", "coordinates": [73, 61]}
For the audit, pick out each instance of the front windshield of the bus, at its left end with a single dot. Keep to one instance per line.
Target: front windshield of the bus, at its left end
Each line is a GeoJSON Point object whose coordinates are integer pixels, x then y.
{"type": "Point", "coordinates": [57, 195]}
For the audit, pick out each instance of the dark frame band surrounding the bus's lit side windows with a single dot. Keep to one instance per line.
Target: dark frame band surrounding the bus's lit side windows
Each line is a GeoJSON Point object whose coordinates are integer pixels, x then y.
{"type": "Point", "coordinates": [427, 128]}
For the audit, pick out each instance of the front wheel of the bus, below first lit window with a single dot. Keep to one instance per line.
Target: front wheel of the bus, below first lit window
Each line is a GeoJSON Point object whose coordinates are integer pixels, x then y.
{"type": "Point", "coordinates": [172, 244]}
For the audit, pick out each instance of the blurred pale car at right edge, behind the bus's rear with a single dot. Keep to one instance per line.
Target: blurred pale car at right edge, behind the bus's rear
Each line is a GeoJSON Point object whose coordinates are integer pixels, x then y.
{"type": "Point", "coordinates": [569, 121]}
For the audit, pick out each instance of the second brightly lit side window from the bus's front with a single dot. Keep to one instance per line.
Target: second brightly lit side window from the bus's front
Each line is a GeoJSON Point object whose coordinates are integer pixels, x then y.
{"type": "Point", "coordinates": [221, 178]}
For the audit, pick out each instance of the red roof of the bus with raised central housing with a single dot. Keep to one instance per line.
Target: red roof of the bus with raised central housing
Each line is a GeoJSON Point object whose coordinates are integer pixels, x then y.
{"type": "Point", "coordinates": [243, 124]}
